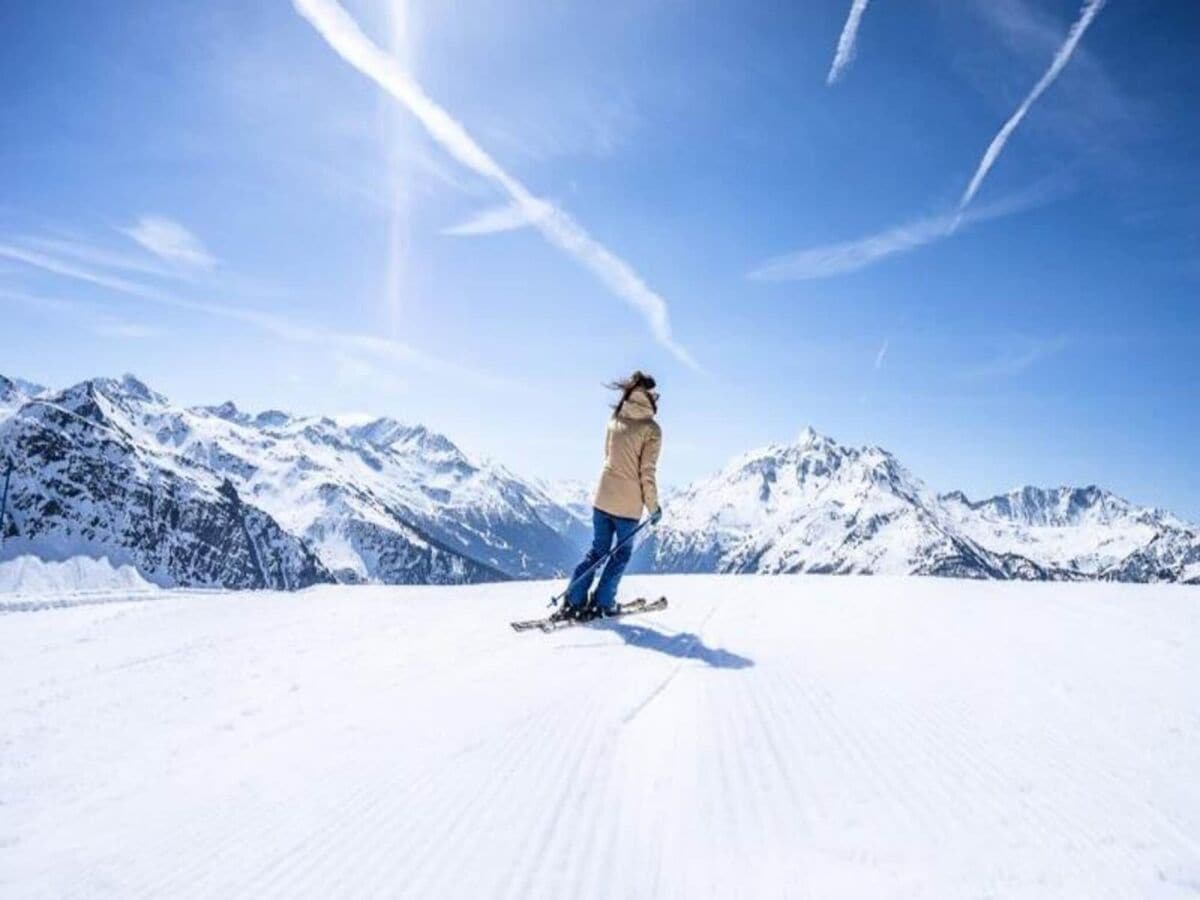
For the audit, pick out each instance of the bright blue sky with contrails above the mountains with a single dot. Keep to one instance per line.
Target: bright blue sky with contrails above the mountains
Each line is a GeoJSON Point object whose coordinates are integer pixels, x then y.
{"type": "Point", "coordinates": [213, 197]}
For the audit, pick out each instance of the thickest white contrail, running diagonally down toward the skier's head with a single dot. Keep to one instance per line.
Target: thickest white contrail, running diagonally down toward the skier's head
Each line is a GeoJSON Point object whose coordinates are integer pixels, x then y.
{"type": "Point", "coordinates": [343, 33]}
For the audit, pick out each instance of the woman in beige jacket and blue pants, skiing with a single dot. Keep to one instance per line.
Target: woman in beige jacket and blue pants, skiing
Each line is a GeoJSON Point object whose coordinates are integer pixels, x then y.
{"type": "Point", "coordinates": [627, 485]}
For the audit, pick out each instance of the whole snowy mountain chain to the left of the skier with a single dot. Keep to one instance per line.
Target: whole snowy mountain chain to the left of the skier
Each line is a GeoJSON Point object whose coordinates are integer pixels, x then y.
{"type": "Point", "coordinates": [218, 496]}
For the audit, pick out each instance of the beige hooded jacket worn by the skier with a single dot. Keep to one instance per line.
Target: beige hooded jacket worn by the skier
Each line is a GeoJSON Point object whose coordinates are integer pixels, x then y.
{"type": "Point", "coordinates": [631, 460]}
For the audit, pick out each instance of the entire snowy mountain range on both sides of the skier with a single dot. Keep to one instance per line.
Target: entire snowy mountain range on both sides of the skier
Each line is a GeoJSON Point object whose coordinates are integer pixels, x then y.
{"type": "Point", "coordinates": [217, 496]}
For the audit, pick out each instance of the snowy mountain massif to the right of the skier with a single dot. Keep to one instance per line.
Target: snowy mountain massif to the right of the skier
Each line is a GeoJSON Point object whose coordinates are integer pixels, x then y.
{"type": "Point", "coordinates": [820, 507]}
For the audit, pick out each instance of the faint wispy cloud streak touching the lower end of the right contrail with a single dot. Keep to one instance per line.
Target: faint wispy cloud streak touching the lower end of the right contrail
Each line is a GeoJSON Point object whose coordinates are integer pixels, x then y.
{"type": "Point", "coordinates": [830, 260]}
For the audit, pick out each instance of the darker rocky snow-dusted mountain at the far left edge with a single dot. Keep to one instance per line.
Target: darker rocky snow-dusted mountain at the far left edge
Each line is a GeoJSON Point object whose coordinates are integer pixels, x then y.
{"type": "Point", "coordinates": [85, 484]}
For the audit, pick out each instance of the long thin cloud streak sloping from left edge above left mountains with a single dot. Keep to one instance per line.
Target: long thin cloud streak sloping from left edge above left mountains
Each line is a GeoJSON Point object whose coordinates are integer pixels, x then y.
{"type": "Point", "coordinates": [283, 328]}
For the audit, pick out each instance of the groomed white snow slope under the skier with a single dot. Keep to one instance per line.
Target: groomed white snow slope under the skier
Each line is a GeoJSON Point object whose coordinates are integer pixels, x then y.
{"type": "Point", "coordinates": [765, 737]}
